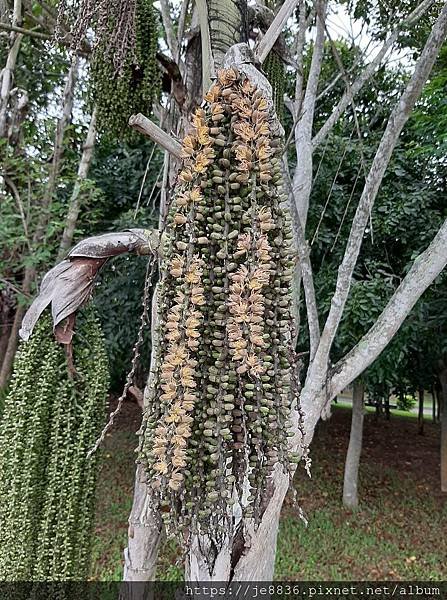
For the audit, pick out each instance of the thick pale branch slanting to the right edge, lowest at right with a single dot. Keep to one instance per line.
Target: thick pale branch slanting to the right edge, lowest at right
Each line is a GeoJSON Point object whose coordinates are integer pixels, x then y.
{"type": "Point", "coordinates": [423, 272]}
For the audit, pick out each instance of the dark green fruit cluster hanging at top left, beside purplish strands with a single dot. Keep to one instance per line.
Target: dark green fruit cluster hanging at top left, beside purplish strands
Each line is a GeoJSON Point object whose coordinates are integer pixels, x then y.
{"type": "Point", "coordinates": [120, 90]}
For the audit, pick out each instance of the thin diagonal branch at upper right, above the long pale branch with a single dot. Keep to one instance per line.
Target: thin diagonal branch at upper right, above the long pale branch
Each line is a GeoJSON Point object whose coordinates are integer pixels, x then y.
{"type": "Point", "coordinates": [368, 72]}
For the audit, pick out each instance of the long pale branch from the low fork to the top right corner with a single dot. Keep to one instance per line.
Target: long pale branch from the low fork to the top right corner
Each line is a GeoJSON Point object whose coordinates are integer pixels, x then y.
{"type": "Point", "coordinates": [396, 122]}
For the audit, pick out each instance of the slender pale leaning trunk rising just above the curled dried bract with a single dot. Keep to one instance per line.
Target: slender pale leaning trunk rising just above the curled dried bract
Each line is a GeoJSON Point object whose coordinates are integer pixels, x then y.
{"type": "Point", "coordinates": [74, 206]}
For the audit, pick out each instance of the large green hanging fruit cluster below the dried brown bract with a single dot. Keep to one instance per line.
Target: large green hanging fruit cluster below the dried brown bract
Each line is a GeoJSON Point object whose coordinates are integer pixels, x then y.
{"type": "Point", "coordinates": [47, 485]}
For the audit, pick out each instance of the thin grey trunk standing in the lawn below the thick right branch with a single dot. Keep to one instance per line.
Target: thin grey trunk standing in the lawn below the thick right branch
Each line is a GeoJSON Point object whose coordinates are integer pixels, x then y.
{"type": "Point", "coordinates": [350, 483]}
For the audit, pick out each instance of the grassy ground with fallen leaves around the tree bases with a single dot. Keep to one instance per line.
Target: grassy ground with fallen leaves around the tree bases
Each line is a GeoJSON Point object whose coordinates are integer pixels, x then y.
{"type": "Point", "coordinates": [398, 533]}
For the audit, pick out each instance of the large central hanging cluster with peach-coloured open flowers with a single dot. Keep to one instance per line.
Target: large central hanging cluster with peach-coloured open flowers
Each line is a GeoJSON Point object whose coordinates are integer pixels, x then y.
{"type": "Point", "coordinates": [218, 412]}
